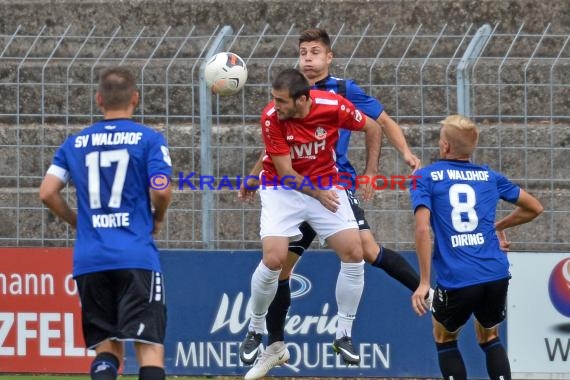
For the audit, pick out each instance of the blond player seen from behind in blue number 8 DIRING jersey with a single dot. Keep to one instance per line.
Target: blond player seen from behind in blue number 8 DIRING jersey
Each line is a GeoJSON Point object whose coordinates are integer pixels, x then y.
{"type": "Point", "coordinates": [458, 199]}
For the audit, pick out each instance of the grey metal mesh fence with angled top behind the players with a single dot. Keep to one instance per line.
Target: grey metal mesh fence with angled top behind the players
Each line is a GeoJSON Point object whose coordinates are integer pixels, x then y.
{"type": "Point", "coordinates": [516, 85]}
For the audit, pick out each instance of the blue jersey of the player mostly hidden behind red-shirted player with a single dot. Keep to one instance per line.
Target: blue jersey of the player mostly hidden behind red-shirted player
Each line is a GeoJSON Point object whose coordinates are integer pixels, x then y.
{"type": "Point", "coordinates": [367, 104]}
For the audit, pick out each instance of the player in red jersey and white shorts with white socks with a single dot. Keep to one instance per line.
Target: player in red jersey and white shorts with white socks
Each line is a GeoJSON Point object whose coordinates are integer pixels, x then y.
{"type": "Point", "coordinates": [298, 183]}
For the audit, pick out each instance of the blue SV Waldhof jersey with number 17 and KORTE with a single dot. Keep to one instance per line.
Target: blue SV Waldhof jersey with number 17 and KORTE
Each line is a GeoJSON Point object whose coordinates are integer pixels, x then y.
{"type": "Point", "coordinates": [110, 164]}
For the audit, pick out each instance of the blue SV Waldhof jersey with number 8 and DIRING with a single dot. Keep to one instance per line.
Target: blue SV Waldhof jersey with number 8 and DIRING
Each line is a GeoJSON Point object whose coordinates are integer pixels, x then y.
{"type": "Point", "coordinates": [462, 198]}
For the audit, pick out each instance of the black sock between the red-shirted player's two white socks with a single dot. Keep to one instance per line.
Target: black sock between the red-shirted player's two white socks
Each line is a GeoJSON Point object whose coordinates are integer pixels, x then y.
{"type": "Point", "coordinates": [277, 313]}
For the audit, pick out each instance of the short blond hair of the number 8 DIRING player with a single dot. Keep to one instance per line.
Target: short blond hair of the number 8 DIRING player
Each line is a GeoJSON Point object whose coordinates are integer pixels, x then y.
{"type": "Point", "coordinates": [461, 133]}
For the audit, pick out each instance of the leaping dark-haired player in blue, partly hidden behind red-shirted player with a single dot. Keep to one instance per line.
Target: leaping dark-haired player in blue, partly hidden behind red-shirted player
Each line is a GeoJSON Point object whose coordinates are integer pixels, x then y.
{"type": "Point", "coordinates": [315, 57]}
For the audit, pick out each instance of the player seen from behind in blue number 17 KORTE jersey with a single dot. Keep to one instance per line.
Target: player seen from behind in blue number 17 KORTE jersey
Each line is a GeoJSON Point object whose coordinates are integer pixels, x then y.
{"type": "Point", "coordinates": [115, 260]}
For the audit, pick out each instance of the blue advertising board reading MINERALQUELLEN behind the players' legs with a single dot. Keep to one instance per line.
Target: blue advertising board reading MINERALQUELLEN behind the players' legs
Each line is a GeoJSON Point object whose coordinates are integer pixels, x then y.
{"type": "Point", "coordinates": [207, 295]}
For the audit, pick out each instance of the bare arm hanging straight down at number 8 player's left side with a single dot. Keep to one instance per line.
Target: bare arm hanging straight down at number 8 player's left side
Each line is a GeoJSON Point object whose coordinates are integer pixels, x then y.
{"type": "Point", "coordinates": [423, 251]}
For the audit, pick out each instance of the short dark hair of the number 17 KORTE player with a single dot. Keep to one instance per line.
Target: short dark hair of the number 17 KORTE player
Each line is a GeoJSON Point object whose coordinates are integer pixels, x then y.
{"type": "Point", "coordinates": [116, 86]}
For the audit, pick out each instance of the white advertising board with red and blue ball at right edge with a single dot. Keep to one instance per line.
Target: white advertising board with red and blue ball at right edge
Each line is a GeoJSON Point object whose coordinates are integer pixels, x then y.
{"type": "Point", "coordinates": [538, 328]}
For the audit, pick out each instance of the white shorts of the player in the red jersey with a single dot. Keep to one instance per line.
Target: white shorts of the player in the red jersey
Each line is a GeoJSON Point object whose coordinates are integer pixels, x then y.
{"type": "Point", "coordinates": [283, 210]}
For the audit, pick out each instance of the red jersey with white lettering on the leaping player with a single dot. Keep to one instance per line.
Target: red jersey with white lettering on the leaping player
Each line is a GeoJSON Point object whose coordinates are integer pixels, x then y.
{"type": "Point", "coordinates": [311, 140]}
